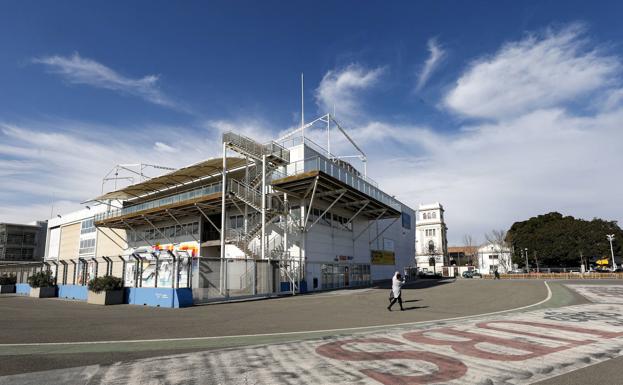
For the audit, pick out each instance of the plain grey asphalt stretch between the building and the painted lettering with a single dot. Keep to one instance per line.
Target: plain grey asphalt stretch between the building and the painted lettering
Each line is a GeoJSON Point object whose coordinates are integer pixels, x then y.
{"type": "Point", "coordinates": [36, 321]}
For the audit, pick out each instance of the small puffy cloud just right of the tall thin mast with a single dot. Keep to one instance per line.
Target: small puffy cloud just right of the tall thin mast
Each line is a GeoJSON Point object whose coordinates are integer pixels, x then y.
{"type": "Point", "coordinates": [342, 89]}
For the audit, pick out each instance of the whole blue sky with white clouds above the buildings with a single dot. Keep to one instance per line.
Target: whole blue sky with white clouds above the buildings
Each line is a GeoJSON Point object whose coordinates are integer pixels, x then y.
{"type": "Point", "coordinates": [498, 110]}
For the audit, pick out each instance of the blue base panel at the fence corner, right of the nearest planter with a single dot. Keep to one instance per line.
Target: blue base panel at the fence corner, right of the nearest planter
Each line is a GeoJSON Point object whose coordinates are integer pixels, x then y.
{"type": "Point", "coordinates": [159, 296]}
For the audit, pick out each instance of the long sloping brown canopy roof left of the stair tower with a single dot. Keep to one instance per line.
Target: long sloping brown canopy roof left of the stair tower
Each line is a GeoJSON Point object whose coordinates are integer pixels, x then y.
{"type": "Point", "coordinates": [183, 176]}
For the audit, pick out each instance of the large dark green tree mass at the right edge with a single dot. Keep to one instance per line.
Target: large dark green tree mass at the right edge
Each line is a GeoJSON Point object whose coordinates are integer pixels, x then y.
{"type": "Point", "coordinates": [560, 240]}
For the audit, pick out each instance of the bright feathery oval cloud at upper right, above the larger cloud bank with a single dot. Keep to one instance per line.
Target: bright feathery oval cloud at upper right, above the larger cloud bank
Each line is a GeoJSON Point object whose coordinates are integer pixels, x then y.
{"type": "Point", "coordinates": [539, 71]}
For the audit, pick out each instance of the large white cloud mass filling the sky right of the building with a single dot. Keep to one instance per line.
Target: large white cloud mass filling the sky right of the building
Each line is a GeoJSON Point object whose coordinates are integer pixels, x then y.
{"type": "Point", "coordinates": [533, 154]}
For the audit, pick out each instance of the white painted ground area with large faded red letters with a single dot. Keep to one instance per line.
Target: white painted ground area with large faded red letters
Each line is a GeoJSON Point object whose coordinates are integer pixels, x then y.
{"type": "Point", "coordinates": [517, 348]}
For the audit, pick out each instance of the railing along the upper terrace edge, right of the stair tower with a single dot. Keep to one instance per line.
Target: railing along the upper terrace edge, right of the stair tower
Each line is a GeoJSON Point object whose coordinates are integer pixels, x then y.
{"type": "Point", "coordinates": [331, 168]}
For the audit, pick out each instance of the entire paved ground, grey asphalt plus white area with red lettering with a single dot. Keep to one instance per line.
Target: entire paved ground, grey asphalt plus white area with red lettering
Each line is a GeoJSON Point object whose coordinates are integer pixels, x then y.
{"type": "Point", "coordinates": [455, 332]}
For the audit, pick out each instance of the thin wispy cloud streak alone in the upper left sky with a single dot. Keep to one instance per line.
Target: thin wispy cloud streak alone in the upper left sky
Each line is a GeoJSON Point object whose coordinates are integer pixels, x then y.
{"type": "Point", "coordinates": [78, 70]}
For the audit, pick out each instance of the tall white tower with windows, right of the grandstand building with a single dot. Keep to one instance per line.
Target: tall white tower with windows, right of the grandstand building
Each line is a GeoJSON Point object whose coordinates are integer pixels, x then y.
{"type": "Point", "coordinates": [431, 244]}
